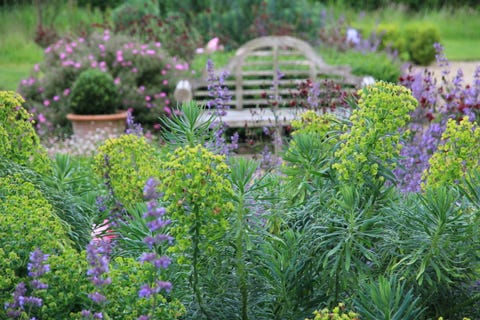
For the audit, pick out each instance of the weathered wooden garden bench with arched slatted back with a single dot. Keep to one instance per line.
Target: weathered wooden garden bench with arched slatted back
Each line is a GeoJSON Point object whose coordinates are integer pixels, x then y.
{"type": "Point", "coordinates": [254, 76]}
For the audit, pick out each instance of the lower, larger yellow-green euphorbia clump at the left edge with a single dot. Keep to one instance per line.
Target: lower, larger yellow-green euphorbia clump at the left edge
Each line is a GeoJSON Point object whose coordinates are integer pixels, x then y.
{"type": "Point", "coordinates": [27, 222]}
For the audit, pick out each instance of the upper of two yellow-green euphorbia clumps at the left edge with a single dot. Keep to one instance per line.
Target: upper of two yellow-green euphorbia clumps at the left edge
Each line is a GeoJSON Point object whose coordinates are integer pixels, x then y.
{"type": "Point", "coordinates": [18, 140]}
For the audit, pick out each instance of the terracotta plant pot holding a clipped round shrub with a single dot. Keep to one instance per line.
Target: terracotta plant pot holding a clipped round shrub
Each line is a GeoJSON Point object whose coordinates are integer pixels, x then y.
{"type": "Point", "coordinates": [108, 124]}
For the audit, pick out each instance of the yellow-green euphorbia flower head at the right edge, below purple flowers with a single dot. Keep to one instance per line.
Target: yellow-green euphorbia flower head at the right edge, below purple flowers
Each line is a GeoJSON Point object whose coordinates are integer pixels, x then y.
{"type": "Point", "coordinates": [457, 153]}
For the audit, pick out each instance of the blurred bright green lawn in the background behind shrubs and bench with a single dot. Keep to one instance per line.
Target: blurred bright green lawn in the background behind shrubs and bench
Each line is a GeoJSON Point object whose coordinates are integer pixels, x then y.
{"type": "Point", "coordinates": [459, 31]}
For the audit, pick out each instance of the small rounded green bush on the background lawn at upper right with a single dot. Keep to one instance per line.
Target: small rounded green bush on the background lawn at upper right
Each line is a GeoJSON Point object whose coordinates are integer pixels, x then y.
{"type": "Point", "coordinates": [420, 41]}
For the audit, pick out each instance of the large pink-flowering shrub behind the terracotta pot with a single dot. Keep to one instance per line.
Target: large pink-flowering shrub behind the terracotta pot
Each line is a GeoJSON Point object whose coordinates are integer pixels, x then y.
{"type": "Point", "coordinates": [144, 73]}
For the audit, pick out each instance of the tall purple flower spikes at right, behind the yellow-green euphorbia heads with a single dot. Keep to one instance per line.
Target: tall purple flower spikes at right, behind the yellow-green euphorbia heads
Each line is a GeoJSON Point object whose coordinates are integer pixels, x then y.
{"type": "Point", "coordinates": [437, 104]}
